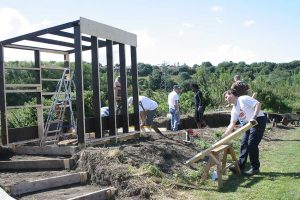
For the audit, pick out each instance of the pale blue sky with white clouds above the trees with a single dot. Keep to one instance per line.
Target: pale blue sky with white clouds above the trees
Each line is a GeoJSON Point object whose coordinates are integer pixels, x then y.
{"type": "Point", "coordinates": [173, 31]}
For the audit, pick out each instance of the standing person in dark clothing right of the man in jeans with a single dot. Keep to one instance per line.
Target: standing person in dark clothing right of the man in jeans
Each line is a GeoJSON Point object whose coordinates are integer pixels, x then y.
{"type": "Point", "coordinates": [199, 106]}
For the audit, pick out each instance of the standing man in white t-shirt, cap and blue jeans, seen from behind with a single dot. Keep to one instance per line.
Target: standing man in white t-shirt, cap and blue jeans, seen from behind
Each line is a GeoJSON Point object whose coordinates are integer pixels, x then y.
{"type": "Point", "coordinates": [173, 101]}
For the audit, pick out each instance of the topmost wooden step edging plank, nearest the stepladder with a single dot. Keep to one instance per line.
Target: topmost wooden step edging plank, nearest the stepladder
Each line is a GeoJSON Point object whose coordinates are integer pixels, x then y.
{"type": "Point", "coordinates": [46, 150]}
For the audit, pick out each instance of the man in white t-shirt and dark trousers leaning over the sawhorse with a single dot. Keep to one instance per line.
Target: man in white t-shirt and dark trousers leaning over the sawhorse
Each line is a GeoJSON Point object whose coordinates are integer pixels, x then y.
{"type": "Point", "coordinates": [246, 109]}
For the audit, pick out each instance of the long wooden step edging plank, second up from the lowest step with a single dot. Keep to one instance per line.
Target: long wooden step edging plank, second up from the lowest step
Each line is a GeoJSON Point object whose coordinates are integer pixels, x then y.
{"type": "Point", "coordinates": [48, 183]}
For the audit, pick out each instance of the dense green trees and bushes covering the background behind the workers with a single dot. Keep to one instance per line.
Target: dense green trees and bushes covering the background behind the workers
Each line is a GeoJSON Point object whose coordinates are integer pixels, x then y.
{"type": "Point", "coordinates": [273, 83]}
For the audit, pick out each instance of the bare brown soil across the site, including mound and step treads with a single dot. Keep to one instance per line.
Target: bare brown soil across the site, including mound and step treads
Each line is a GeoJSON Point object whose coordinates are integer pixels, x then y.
{"type": "Point", "coordinates": [138, 168]}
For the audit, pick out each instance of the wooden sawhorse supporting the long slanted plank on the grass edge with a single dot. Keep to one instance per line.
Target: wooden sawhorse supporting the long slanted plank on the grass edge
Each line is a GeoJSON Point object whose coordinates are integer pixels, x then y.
{"type": "Point", "coordinates": [218, 156]}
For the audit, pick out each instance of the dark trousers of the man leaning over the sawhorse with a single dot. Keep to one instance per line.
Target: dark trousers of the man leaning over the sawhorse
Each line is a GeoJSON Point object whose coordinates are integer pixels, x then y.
{"type": "Point", "coordinates": [250, 142]}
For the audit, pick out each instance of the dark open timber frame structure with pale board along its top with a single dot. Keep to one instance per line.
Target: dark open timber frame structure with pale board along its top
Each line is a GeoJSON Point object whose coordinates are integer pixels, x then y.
{"type": "Point", "coordinates": [94, 35]}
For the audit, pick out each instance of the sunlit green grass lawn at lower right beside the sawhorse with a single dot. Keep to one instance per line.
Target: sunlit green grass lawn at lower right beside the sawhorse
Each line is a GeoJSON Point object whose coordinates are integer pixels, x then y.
{"type": "Point", "coordinates": [279, 177]}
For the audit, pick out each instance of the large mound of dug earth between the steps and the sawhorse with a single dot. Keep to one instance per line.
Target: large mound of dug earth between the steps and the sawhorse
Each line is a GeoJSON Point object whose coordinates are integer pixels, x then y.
{"type": "Point", "coordinates": [132, 166]}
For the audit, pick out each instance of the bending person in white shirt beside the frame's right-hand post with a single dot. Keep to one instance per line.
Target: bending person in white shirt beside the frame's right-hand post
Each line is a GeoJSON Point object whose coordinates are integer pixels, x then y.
{"type": "Point", "coordinates": [147, 109]}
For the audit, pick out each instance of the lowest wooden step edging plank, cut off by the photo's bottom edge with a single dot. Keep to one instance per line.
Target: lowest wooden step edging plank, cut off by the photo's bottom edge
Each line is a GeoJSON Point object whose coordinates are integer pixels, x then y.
{"type": "Point", "coordinates": [104, 194]}
